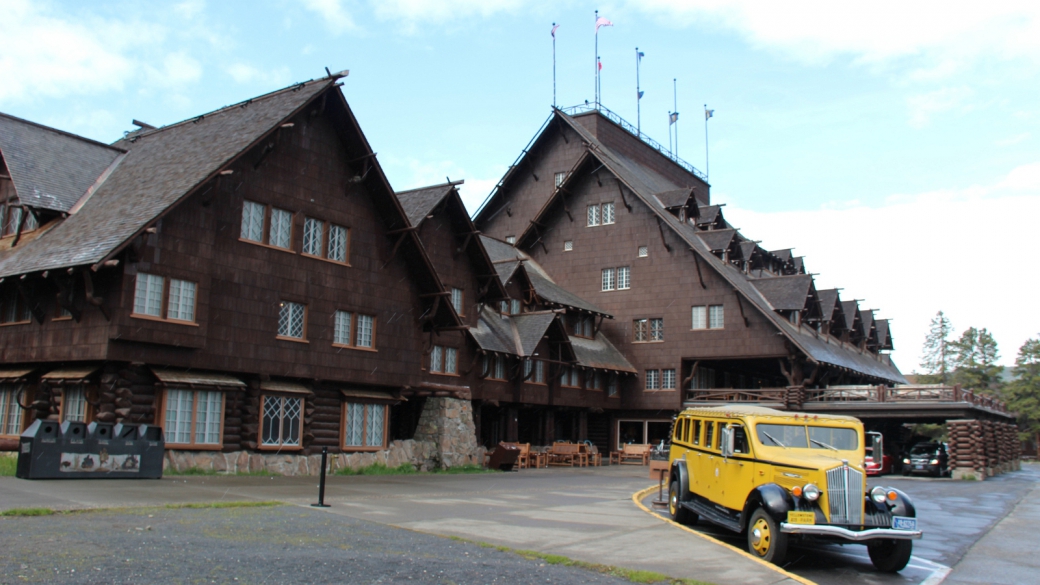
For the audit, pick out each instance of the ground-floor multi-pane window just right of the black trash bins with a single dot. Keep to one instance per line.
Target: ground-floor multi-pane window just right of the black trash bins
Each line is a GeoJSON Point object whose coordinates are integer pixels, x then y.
{"type": "Point", "coordinates": [194, 418]}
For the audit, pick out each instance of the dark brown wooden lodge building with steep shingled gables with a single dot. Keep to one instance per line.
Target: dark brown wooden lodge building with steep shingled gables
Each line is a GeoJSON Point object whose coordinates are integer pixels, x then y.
{"type": "Point", "coordinates": [249, 281]}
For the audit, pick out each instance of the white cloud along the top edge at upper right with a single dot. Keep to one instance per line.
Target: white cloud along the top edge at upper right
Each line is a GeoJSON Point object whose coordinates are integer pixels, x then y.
{"type": "Point", "coordinates": [873, 33]}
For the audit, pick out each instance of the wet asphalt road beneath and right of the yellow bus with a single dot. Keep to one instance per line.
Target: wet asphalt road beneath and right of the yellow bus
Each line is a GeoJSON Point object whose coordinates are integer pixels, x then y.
{"type": "Point", "coordinates": [953, 515]}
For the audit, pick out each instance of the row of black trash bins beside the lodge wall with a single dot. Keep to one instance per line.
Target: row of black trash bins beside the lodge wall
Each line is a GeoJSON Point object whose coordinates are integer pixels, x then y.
{"type": "Point", "coordinates": [99, 450]}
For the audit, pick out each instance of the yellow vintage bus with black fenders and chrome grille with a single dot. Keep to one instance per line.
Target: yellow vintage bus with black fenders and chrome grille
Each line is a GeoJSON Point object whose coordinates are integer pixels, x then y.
{"type": "Point", "coordinates": [778, 476]}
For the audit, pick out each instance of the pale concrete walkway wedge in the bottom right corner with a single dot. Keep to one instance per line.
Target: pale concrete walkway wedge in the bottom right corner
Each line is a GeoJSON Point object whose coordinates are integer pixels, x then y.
{"type": "Point", "coordinates": [1008, 553]}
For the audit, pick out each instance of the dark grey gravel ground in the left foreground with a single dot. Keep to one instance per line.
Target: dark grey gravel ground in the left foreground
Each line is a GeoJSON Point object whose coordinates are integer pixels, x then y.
{"type": "Point", "coordinates": [251, 546]}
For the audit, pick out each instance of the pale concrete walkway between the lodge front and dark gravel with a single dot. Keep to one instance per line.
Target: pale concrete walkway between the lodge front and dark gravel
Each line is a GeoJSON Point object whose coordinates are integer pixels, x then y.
{"type": "Point", "coordinates": [585, 515]}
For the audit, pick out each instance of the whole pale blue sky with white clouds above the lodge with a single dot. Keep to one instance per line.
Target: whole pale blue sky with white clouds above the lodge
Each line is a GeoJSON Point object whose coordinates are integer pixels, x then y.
{"type": "Point", "coordinates": [897, 146]}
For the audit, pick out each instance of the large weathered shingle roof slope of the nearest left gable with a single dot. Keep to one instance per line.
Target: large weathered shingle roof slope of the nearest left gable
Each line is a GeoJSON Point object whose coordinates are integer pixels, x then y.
{"type": "Point", "coordinates": [161, 168]}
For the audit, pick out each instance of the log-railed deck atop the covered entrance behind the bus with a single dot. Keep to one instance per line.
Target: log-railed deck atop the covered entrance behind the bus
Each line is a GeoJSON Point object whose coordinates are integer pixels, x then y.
{"type": "Point", "coordinates": [920, 403]}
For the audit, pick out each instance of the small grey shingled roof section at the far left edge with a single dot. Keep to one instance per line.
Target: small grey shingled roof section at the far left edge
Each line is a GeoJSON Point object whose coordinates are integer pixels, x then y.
{"type": "Point", "coordinates": [51, 169]}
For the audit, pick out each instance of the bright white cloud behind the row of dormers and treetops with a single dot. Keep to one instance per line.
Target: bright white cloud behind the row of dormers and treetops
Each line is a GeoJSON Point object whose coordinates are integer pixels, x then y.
{"type": "Point", "coordinates": [965, 252]}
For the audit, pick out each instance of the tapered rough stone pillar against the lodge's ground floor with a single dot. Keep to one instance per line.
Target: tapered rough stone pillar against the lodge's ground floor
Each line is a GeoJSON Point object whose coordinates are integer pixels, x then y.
{"type": "Point", "coordinates": [447, 429]}
